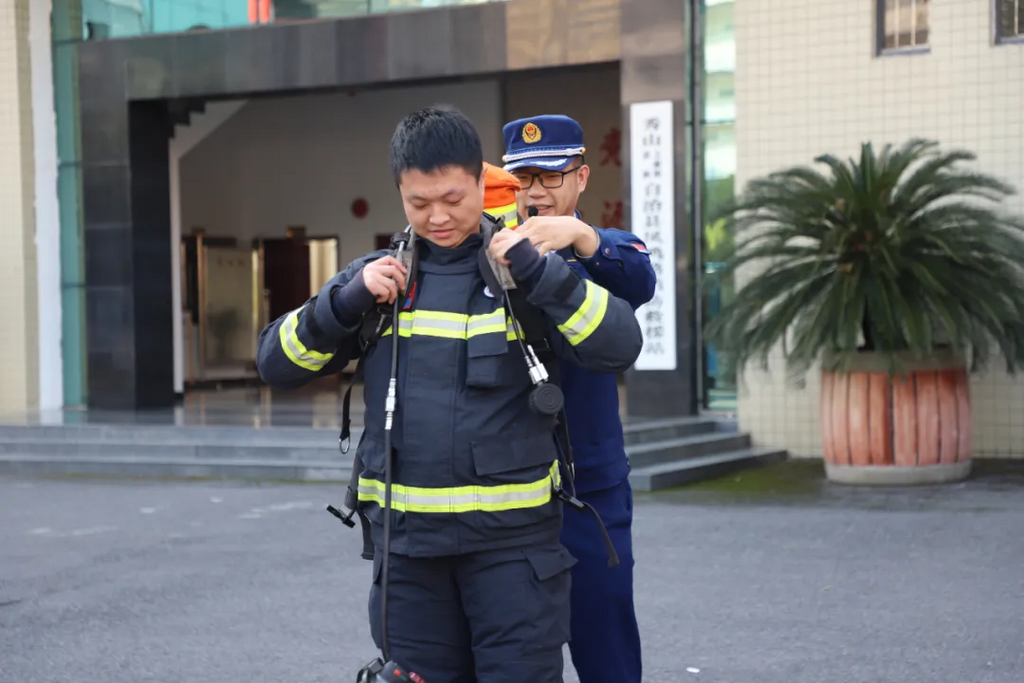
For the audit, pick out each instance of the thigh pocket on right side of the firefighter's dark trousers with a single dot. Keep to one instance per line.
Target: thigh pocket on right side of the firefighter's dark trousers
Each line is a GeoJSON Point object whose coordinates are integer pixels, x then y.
{"type": "Point", "coordinates": [551, 588]}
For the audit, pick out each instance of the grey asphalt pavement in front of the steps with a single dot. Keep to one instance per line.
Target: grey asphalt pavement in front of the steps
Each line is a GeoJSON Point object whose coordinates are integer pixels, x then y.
{"type": "Point", "coordinates": [111, 582]}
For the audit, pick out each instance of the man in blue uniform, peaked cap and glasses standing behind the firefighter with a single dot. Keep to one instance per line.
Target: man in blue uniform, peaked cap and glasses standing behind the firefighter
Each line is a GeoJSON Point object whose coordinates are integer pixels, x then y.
{"type": "Point", "coordinates": [546, 154]}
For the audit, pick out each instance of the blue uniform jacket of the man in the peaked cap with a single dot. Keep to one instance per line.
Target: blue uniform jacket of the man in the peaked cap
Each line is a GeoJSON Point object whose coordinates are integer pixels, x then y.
{"type": "Point", "coordinates": [622, 266]}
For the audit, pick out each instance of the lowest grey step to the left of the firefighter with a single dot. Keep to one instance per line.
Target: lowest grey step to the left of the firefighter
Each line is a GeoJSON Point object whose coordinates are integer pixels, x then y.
{"type": "Point", "coordinates": [147, 466]}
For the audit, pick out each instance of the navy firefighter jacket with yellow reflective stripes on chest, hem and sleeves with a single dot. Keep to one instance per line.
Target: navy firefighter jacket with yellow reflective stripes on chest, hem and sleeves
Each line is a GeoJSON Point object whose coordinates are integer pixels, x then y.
{"type": "Point", "coordinates": [475, 467]}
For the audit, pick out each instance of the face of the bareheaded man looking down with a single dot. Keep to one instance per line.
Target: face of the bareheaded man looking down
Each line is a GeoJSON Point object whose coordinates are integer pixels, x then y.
{"type": "Point", "coordinates": [445, 206]}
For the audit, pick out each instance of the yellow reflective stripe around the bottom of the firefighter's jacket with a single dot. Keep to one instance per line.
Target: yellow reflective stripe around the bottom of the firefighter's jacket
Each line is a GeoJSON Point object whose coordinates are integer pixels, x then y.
{"type": "Point", "coordinates": [462, 499]}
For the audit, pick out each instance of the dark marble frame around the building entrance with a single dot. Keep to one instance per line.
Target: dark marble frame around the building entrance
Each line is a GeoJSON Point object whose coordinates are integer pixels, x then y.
{"type": "Point", "coordinates": [132, 92]}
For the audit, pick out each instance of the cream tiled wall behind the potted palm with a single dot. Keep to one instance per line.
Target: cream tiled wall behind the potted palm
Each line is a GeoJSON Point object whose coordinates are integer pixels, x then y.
{"type": "Point", "coordinates": [808, 82]}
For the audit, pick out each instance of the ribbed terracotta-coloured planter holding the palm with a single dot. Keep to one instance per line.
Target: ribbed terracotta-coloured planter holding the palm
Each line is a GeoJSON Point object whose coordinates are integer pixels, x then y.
{"type": "Point", "coordinates": [908, 430]}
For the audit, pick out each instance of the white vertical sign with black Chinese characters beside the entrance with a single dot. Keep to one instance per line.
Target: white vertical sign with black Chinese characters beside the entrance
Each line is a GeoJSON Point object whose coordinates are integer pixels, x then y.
{"type": "Point", "coordinates": [653, 202]}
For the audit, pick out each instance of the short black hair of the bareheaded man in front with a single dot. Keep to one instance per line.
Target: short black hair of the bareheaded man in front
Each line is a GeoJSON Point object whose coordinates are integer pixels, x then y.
{"type": "Point", "coordinates": [435, 138]}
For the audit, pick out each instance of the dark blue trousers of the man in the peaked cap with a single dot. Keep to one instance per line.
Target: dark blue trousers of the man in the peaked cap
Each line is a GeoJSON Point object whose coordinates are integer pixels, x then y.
{"type": "Point", "coordinates": [606, 646]}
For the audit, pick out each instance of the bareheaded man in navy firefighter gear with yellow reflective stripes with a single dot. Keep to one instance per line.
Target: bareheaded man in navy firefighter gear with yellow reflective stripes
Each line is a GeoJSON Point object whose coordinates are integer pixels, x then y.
{"type": "Point", "coordinates": [480, 583]}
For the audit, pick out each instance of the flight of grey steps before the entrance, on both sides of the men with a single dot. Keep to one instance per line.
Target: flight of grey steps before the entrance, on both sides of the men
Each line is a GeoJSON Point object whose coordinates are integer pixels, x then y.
{"type": "Point", "coordinates": [660, 451]}
